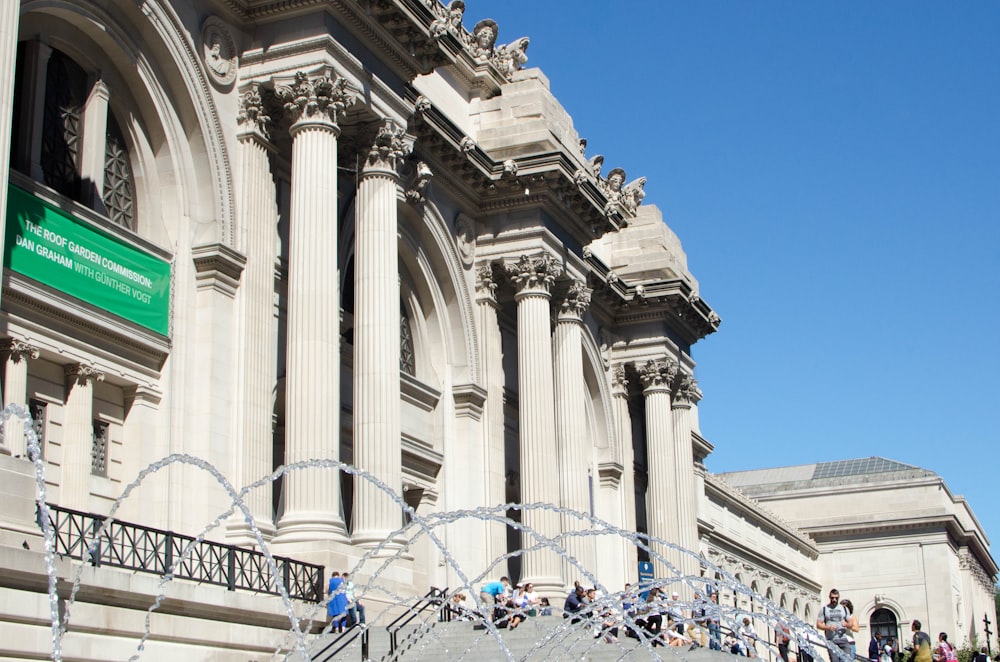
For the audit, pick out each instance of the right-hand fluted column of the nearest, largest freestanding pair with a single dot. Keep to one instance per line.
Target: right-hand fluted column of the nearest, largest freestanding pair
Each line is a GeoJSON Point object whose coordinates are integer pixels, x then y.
{"type": "Point", "coordinates": [377, 442]}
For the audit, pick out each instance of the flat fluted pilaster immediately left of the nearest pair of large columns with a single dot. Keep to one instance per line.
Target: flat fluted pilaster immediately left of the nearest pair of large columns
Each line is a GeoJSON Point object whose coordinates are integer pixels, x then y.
{"type": "Point", "coordinates": [257, 361]}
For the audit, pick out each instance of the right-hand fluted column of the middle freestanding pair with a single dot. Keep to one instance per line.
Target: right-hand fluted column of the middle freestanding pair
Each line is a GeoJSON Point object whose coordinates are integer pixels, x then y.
{"type": "Point", "coordinates": [574, 454]}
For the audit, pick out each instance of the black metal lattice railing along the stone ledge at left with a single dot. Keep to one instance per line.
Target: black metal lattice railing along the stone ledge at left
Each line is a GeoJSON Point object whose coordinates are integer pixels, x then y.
{"type": "Point", "coordinates": [144, 549]}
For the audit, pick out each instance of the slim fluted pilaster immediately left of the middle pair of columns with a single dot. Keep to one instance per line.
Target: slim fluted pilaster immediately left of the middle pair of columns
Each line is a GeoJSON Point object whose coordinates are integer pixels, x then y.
{"type": "Point", "coordinates": [488, 310]}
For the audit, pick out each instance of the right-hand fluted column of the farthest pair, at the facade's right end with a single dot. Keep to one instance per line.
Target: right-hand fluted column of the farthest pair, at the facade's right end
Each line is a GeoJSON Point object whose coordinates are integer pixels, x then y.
{"type": "Point", "coordinates": [685, 499]}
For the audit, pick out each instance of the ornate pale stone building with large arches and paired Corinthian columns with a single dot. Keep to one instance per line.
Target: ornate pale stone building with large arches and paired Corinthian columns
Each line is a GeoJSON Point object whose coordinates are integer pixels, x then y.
{"type": "Point", "coordinates": [259, 233]}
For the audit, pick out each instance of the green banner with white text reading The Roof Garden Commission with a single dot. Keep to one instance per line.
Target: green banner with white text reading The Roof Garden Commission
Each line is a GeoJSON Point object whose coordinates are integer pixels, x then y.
{"type": "Point", "coordinates": [83, 261]}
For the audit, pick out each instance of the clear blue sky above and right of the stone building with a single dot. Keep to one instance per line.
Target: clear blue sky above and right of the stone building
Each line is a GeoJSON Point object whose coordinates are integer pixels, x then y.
{"type": "Point", "coordinates": [833, 171]}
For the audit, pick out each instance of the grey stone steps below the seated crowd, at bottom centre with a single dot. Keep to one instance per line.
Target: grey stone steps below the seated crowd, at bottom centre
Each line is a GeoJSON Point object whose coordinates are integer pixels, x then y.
{"type": "Point", "coordinates": [541, 638]}
